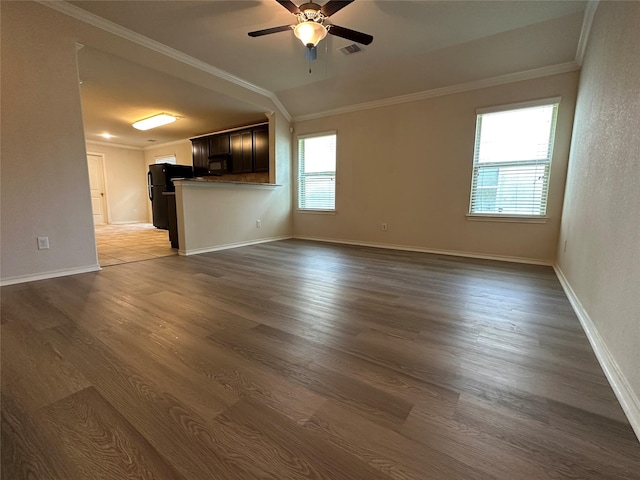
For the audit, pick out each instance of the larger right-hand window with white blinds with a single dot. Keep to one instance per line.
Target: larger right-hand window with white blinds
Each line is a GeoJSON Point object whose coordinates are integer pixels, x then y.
{"type": "Point", "coordinates": [512, 159]}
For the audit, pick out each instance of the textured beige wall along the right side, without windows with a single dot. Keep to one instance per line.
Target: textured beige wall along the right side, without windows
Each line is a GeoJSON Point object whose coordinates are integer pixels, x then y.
{"type": "Point", "coordinates": [599, 248]}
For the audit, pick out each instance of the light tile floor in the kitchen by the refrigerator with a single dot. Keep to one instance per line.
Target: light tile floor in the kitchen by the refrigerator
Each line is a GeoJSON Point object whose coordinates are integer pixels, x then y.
{"type": "Point", "coordinates": [131, 243]}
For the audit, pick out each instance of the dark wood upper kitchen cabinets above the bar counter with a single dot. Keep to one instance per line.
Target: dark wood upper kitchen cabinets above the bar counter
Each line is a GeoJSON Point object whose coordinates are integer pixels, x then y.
{"type": "Point", "coordinates": [246, 150]}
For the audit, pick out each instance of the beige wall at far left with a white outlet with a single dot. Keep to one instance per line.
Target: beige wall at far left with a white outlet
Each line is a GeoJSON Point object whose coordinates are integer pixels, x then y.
{"type": "Point", "coordinates": [45, 181]}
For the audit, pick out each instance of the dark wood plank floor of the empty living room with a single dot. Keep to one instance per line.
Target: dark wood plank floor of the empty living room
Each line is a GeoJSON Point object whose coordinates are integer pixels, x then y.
{"type": "Point", "coordinates": [296, 360]}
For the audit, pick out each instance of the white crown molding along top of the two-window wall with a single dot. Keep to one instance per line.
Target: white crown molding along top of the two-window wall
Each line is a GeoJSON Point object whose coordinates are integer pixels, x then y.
{"type": "Point", "coordinates": [450, 90]}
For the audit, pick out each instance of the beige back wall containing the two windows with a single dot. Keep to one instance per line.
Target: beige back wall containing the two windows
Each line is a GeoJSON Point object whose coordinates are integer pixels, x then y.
{"type": "Point", "coordinates": [409, 165]}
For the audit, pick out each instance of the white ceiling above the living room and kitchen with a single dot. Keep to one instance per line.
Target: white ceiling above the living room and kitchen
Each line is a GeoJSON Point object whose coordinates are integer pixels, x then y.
{"type": "Point", "coordinates": [418, 46]}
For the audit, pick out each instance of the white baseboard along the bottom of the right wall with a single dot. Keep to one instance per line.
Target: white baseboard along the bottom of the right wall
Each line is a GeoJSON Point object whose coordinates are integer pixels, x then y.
{"type": "Point", "coordinates": [628, 399]}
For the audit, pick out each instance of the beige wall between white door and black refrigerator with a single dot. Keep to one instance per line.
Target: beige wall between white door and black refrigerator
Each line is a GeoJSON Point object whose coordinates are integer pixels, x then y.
{"type": "Point", "coordinates": [125, 183]}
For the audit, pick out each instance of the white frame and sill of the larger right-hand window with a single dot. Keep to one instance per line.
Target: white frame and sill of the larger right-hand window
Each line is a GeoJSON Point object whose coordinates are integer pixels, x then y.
{"type": "Point", "coordinates": [546, 163]}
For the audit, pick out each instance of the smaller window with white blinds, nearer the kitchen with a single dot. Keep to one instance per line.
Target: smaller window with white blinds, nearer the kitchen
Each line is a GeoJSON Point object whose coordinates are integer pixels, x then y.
{"type": "Point", "coordinates": [317, 172]}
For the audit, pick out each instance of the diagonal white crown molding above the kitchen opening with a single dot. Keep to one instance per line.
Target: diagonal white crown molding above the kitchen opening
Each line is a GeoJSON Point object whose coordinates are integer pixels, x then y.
{"type": "Point", "coordinates": [115, 29]}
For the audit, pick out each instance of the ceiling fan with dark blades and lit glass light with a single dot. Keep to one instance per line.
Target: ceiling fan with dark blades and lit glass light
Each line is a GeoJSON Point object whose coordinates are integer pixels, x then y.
{"type": "Point", "coordinates": [311, 26]}
